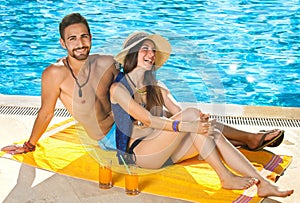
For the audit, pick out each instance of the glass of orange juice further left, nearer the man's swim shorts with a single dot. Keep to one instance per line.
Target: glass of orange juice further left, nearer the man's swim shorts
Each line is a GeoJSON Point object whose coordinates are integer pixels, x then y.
{"type": "Point", "coordinates": [105, 174]}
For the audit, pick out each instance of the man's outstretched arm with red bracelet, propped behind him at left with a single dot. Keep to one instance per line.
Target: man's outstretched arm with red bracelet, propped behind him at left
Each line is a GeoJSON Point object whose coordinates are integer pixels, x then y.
{"type": "Point", "coordinates": [49, 95]}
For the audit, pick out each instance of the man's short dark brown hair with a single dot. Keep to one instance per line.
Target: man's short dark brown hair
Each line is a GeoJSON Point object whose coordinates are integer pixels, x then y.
{"type": "Point", "coordinates": [73, 18]}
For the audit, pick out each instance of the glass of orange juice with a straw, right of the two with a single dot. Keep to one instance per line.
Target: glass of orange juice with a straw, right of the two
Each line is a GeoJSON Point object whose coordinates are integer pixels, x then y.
{"type": "Point", "coordinates": [132, 181]}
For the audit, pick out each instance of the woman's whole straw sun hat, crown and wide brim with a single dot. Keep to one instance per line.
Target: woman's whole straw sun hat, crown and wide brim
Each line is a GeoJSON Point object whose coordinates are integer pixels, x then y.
{"type": "Point", "coordinates": [163, 47]}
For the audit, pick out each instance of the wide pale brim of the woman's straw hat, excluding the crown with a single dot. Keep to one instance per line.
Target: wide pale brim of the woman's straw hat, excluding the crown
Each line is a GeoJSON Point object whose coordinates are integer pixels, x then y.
{"type": "Point", "coordinates": [162, 54]}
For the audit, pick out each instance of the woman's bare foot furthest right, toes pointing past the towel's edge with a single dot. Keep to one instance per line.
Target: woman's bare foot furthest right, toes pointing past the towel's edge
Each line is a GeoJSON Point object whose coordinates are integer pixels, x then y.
{"type": "Point", "coordinates": [266, 189]}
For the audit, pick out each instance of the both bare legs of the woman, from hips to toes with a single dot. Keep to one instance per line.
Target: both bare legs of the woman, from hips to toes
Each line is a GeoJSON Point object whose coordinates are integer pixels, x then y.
{"type": "Point", "coordinates": [153, 153]}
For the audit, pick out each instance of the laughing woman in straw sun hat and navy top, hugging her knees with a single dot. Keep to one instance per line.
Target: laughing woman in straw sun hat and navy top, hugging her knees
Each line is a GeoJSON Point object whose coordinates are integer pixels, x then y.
{"type": "Point", "coordinates": [139, 103]}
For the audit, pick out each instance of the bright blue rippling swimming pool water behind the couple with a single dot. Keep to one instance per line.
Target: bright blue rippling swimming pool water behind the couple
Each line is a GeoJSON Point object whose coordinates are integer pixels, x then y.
{"type": "Point", "coordinates": [228, 51]}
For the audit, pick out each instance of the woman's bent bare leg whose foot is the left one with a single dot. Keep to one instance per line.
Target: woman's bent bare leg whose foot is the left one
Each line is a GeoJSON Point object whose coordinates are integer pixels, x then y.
{"type": "Point", "coordinates": [153, 153]}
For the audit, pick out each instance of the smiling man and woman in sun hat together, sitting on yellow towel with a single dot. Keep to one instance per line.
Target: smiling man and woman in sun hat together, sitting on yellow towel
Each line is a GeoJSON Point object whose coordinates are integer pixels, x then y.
{"type": "Point", "coordinates": [84, 82]}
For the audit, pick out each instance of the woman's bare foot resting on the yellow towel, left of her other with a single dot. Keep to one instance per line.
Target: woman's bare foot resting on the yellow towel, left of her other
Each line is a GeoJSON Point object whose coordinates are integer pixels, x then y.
{"type": "Point", "coordinates": [238, 183]}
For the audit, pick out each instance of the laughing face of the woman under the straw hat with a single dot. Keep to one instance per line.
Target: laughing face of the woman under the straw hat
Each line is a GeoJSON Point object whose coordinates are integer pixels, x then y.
{"type": "Point", "coordinates": [146, 55]}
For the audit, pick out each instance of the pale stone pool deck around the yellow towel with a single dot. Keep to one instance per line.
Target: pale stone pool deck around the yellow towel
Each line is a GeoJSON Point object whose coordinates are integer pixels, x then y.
{"type": "Point", "coordinates": [22, 183]}
